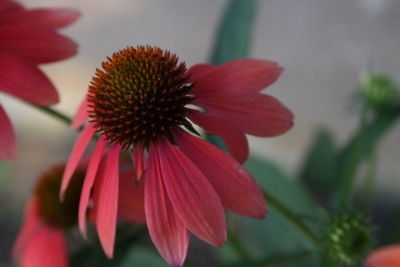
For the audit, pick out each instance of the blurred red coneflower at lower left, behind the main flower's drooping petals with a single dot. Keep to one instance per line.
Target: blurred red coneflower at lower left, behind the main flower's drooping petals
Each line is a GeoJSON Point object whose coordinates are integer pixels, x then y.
{"type": "Point", "coordinates": [42, 240]}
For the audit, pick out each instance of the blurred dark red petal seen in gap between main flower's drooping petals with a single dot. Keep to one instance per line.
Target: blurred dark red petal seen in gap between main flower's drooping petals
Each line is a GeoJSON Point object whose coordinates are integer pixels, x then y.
{"type": "Point", "coordinates": [131, 198]}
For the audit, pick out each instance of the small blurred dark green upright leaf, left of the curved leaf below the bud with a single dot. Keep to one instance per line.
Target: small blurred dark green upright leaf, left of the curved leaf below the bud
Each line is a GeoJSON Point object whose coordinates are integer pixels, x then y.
{"type": "Point", "coordinates": [318, 171]}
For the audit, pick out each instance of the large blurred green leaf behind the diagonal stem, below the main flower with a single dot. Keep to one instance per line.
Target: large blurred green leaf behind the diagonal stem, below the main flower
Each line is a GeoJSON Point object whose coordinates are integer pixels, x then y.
{"type": "Point", "coordinates": [274, 237]}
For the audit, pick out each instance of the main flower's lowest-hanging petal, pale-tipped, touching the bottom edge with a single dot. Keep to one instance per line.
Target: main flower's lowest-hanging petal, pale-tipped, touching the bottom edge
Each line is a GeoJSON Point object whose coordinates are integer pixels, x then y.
{"type": "Point", "coordinates": [167, 231]}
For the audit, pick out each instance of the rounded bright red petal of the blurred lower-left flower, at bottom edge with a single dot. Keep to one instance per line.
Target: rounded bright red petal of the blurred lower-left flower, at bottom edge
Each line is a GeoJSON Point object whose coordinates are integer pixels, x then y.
{"type": "Point", "coordinates": [46, 248]}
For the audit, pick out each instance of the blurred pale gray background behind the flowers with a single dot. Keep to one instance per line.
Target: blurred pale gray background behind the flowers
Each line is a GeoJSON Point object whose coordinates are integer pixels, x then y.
{"type": "Point", "coordinates": [322, 44]}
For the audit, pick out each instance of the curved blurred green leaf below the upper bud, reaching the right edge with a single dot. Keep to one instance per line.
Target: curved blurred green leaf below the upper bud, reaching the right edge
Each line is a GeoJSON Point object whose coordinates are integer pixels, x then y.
{"type": "Point", "coordinates": [360, 146]}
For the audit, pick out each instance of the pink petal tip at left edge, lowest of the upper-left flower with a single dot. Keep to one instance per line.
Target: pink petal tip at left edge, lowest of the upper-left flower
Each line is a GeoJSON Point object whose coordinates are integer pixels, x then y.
{"type": "Point", "coordinates": [8, 143]}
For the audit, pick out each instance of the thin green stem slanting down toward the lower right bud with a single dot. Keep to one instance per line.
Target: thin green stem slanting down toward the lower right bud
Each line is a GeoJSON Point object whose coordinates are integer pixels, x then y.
{"type": "Point", "coordinates": [291, 216]}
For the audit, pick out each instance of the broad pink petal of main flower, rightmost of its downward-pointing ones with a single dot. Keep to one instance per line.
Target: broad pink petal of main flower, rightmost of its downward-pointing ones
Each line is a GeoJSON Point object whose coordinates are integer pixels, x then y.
{"type": "Point", "coordinates": [235, 186]}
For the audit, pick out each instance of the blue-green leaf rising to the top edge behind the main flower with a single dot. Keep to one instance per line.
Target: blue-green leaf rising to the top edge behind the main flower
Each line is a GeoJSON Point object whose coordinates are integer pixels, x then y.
{"type": "Point", "coordinates": [234, 34]}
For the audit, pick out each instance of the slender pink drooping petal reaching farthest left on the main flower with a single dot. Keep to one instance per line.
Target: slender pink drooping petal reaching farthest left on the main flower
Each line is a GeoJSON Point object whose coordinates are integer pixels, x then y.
{"type": "Point", "coordinates": [75, 156]}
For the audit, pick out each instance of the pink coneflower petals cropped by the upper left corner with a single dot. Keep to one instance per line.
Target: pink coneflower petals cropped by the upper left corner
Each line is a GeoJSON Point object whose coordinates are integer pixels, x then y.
{"type": "Point", "coordinates": [29, 37]}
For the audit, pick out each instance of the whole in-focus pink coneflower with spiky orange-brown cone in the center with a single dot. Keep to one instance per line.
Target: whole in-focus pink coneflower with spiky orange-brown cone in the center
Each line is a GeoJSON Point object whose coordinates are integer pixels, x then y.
{"type": "Point", "coordinates": [145, 102]}
